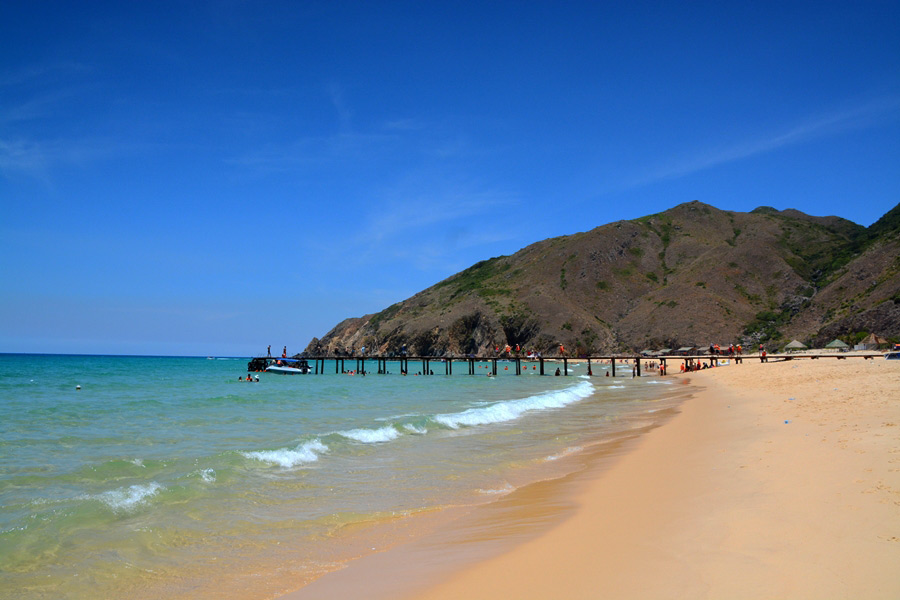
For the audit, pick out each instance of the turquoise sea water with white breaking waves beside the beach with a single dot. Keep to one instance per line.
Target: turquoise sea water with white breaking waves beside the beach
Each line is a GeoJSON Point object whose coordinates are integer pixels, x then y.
{"type": "Point", "coordinates": [167, 477]}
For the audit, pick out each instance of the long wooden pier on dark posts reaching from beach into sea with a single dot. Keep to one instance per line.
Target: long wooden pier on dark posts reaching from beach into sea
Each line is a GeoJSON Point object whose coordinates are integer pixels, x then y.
{"type": "Point", "coordinates": [692, 362]}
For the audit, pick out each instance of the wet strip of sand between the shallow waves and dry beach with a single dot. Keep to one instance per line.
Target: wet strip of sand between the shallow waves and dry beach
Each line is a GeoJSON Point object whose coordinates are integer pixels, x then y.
{"type": "Point", "coordinates": [457, 536]}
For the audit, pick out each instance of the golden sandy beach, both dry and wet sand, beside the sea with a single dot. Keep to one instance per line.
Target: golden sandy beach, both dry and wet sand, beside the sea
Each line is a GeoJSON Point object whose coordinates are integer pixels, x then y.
{"type": "Point", "coordinates": [777, 480]}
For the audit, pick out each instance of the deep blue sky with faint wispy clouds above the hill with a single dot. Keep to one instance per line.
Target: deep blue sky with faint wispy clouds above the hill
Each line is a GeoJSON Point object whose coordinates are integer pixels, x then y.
{"type": "Point", "coordinates": [207, 178]}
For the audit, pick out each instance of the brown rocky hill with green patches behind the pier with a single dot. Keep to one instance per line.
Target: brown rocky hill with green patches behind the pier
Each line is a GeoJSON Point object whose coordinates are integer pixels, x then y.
{"type": "Point", "coordinates": [691, 275]}
